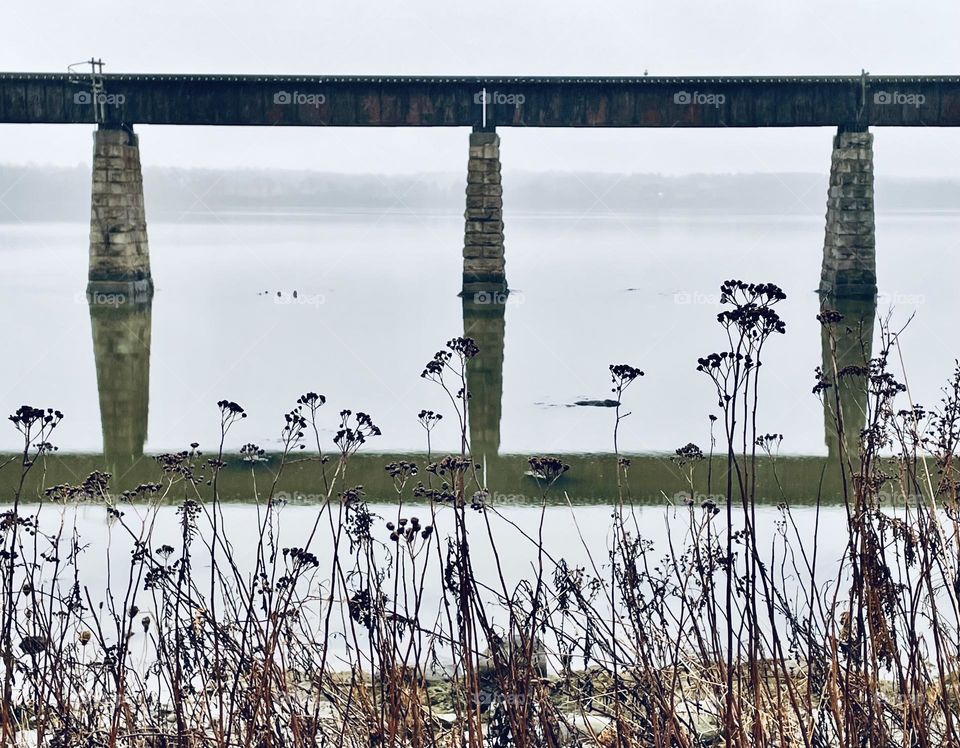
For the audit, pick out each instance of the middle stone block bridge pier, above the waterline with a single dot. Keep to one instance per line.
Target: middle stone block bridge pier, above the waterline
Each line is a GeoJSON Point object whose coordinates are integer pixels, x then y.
{"type": "Point", "coordinates": [483, 259]}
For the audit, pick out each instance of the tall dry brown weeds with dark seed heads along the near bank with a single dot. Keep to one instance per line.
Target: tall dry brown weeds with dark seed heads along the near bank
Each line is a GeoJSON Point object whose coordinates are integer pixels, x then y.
{"type": "Point", "coordinates": [725, 634]}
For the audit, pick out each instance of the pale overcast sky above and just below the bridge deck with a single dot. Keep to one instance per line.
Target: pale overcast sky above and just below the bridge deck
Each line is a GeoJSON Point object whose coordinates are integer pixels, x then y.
{"type": "Point", "coordinates": [497, 37]}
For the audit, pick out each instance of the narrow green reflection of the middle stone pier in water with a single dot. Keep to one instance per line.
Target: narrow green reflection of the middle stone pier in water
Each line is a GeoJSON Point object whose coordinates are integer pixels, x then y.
{"type": "Point", "coordinates": [485, 324]}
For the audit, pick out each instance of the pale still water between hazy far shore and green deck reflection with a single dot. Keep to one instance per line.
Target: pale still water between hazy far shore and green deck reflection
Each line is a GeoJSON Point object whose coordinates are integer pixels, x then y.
{"type": "Point", "coordinates": [376, 296]}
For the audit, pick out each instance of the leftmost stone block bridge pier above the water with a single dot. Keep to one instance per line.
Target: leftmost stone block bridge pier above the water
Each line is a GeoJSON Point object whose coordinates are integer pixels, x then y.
{"type": "Point", "coordinates": [119, 253]}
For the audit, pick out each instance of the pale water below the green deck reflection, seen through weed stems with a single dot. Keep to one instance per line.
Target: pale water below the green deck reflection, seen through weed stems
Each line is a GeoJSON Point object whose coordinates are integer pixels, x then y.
{"type": "Point", "coordinates": [584, 533]}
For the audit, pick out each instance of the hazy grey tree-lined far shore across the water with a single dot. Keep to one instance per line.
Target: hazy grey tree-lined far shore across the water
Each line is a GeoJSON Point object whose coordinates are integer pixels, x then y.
{"type": "Point", "coordinates": [44, 194]}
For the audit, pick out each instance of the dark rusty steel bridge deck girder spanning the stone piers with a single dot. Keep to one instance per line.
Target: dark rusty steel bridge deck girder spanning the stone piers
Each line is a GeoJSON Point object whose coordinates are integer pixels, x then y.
{"type": "Point", "coordinates": [458, 101]}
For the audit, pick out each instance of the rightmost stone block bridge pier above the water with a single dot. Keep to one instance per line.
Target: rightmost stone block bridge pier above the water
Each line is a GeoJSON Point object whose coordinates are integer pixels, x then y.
{"type": "Point", "coordinates": [849, 247]}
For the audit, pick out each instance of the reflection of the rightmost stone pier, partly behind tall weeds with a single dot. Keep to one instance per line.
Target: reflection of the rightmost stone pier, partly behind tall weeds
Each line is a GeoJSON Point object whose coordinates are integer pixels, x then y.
{"type": "Point", "coordinates": [848, 343]}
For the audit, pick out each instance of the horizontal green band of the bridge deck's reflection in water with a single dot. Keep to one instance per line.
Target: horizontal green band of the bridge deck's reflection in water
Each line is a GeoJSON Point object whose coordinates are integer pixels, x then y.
{"type": "Point", "coordinates": [592, 478]}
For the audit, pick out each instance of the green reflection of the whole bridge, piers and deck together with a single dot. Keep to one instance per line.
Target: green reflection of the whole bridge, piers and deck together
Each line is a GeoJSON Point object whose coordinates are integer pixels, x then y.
{"type": "Point", "coordinates": [121, 337]}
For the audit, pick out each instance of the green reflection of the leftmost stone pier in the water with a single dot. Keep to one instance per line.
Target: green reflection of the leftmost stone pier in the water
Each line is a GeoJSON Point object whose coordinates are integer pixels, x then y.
{"type": "Point", "coordinates": [121, 347]}
